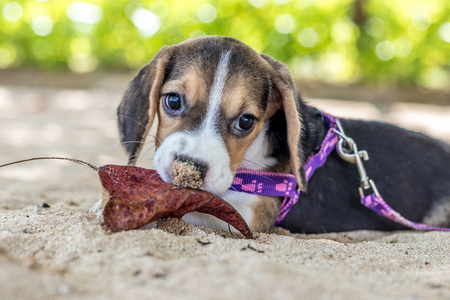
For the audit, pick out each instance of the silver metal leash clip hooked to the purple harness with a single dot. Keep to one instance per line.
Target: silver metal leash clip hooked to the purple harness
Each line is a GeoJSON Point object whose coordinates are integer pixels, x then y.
{"type": "Point", "coordinates": [348, 151]}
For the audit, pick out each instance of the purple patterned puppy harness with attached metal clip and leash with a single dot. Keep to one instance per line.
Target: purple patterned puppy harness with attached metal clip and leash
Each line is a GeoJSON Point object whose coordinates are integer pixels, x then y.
{"type": "Point", "coordinates": [284, 185]}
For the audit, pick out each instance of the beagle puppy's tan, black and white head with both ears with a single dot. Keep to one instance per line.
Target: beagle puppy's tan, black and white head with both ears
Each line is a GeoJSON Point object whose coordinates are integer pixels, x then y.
{"type": "Point", "coordinates": [213, 97]}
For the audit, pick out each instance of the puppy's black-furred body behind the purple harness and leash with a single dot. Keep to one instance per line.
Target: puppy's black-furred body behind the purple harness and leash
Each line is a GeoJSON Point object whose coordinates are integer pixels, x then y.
{"type": "Point", "coordinates": [411, 170]}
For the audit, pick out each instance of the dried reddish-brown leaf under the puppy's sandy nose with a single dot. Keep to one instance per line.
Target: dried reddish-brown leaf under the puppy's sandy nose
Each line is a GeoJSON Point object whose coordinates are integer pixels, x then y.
{"type": "Point", "coordinates": [138, 196]}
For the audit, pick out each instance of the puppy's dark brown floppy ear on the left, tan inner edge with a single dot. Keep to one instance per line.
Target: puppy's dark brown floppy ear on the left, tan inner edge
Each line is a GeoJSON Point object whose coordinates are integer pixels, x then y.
{"type": "Point", "coordinates": [139, 104]}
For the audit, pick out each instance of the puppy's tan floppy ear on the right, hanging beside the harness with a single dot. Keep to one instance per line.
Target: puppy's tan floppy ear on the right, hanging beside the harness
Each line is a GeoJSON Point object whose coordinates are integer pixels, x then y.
{"type": "Point", "coordinates": [285, 92]}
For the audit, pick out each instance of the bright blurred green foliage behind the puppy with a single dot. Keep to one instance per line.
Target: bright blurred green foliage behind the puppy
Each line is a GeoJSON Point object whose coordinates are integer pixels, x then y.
{"type": "Point", "coordinates": [378, 41]}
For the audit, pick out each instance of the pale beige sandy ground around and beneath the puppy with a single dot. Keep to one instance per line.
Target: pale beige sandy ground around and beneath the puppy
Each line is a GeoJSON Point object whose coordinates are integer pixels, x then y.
{"type": "Point", "coordinates": [62, 252]}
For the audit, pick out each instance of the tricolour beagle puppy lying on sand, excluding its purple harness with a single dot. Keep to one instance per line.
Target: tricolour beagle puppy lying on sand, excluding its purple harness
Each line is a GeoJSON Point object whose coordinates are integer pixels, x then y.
{"type": "Point", "coordinates": [224, 106]}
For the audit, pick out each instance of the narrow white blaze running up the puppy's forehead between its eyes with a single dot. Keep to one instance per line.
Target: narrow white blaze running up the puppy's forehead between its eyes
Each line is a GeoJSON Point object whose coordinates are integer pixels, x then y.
{"type": "Point", "coordinates": [216, 93]}
